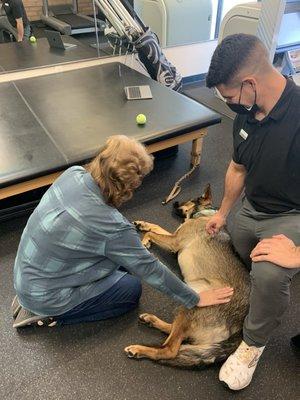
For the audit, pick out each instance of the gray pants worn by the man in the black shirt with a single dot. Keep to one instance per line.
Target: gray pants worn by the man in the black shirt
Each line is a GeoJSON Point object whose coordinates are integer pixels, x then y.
{"type": "Point", "coordinates": [270, 284]}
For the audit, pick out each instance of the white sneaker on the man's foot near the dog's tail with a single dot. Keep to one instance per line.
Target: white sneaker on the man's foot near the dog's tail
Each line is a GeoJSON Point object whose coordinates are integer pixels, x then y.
{"type": "Point", "coordinates": [238, 369]}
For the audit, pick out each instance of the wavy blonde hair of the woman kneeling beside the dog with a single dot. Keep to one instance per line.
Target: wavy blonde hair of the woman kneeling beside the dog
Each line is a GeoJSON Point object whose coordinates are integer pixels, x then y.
{"type": "Point", "coordinates": [119, 168]}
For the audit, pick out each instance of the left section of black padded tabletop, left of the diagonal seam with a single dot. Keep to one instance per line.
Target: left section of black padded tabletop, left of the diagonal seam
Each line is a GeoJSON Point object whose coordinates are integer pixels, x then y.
{"type": "Point", "coordinates": [24, 144]}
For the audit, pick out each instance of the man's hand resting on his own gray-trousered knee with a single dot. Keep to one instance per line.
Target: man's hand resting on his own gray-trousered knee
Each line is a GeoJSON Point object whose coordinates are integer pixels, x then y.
{"type": "Point", "coordinates": [279, 250]}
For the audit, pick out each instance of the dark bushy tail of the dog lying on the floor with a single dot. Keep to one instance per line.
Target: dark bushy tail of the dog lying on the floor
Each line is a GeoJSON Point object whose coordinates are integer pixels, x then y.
{"type": "Point", "coordinates": [195, 356]}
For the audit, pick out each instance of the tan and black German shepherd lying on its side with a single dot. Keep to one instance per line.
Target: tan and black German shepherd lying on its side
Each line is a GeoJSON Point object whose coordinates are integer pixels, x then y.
{"type": "Point", "coordinates": [199, 336]}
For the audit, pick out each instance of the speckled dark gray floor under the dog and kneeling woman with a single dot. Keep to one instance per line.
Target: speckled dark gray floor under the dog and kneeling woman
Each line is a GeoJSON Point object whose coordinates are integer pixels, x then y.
{"type": "Point", "coordinates": [87, 361]}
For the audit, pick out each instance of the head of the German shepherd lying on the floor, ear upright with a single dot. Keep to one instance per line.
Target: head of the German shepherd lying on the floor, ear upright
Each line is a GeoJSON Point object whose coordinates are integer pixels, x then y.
{"type": "Point", "coordinates": [192, 208]}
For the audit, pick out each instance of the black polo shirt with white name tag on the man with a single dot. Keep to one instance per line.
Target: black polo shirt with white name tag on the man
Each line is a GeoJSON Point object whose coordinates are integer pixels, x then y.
{"type": "Point", "coordinates": [271, 154]}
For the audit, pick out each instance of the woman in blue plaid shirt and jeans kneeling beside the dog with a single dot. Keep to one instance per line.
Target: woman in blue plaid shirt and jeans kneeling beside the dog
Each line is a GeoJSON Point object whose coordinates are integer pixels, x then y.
{"type": "Point", "coordinates": [77, 248]}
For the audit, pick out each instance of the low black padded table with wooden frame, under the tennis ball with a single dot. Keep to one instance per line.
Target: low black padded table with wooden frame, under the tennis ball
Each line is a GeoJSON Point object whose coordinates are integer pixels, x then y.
{"type": "Point", "coordinates": [51, 122]}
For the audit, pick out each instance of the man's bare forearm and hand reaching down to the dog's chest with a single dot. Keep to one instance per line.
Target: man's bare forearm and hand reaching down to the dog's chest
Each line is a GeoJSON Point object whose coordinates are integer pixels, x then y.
{"type": "Point", "coordinates": [234, 186]}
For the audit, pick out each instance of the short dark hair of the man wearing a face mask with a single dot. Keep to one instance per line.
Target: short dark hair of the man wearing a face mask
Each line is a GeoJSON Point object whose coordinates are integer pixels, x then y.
{"type": "Point", "coordinates": [231, 56]}
